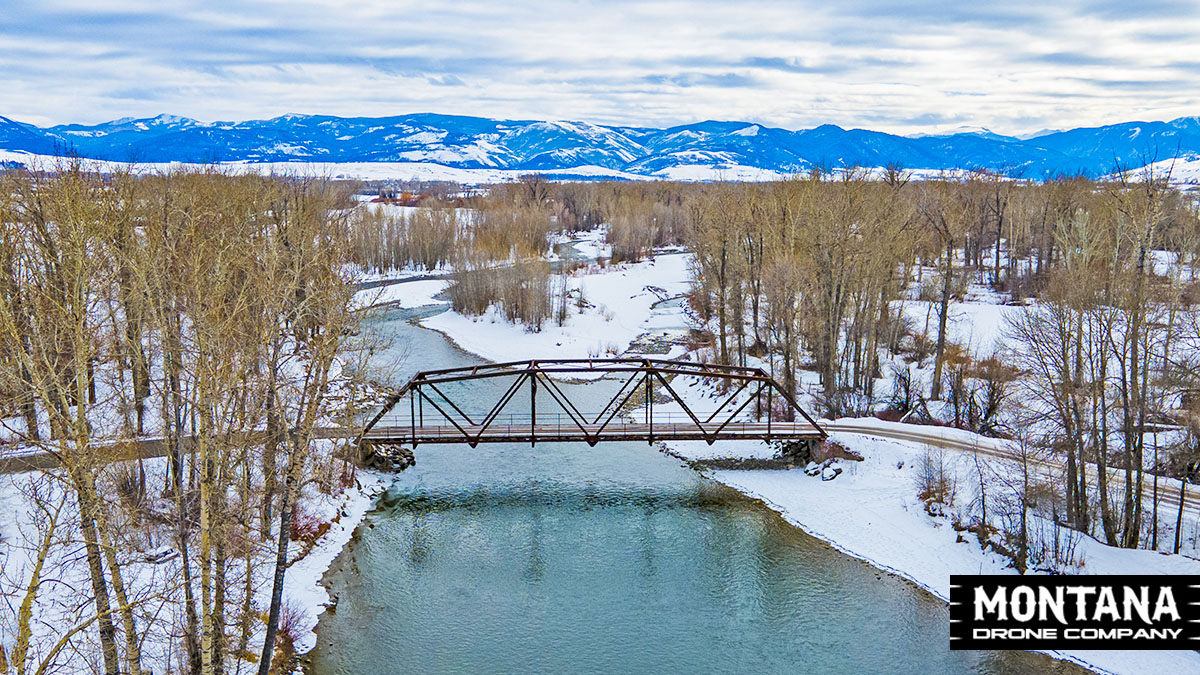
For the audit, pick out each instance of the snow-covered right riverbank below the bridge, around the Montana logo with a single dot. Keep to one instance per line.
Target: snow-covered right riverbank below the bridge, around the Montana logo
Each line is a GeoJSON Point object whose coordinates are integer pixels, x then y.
{"type": "Point", "coordinates": [872, 512]}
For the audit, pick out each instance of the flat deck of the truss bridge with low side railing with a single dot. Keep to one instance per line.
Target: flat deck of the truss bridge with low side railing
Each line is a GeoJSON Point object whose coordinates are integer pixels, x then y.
{"type": "Point", "coordinates": [568, 432]}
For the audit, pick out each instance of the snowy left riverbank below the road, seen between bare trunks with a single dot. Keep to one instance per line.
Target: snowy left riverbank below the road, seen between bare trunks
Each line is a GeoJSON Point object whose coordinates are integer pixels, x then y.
{"type": "Point", "coordinates": [153, 568]}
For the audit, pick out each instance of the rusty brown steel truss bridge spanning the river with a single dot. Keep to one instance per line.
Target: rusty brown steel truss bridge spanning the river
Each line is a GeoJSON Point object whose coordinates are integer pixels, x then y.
{"type": "Point", "coordinates": [533, 408]}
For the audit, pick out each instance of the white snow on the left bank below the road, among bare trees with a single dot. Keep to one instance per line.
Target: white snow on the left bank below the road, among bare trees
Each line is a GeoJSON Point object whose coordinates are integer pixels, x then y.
{"type": "Point", "coordinates": [153, 569]}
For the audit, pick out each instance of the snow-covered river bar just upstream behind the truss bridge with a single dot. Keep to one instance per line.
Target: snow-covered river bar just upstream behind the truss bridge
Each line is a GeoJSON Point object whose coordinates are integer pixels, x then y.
{"type": "Point", "coordinates": [622, 308]}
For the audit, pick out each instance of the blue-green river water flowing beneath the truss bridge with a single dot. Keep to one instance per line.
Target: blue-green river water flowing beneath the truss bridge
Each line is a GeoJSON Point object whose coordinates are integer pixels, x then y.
{"type": "Point", "coordinates": [616, 559]}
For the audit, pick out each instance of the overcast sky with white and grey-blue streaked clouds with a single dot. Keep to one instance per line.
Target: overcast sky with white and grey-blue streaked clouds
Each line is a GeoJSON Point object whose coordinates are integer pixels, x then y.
{"type": "Point", "coordinates": [898, 67]}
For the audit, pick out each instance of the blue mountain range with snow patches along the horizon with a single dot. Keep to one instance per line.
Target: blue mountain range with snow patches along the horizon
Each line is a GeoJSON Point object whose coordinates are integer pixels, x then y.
{"type": "Point", "coordinates": [481, 144]}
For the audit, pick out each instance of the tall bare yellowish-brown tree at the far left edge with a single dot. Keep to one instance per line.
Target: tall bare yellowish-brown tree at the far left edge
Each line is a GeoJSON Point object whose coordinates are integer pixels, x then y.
{"type": "Point", "coordinates": [55, 321]}
